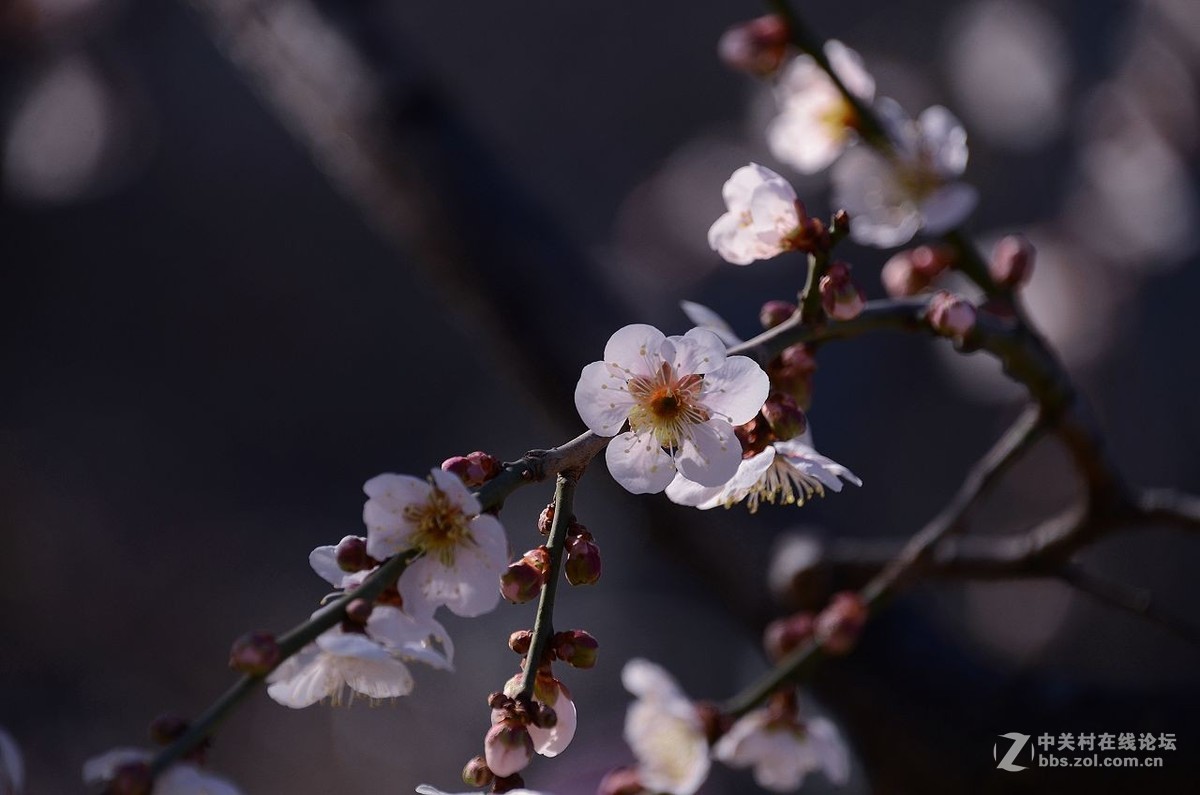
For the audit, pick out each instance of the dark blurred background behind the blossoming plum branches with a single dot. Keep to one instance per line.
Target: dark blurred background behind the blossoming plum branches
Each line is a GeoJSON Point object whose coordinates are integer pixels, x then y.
{"type": "Point", "coordinates": [256, 253]}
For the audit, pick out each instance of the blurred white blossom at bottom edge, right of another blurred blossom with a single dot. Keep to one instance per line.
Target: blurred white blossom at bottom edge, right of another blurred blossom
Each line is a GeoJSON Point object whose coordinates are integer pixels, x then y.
{"type": "Point", "coordinates": [783, 752]}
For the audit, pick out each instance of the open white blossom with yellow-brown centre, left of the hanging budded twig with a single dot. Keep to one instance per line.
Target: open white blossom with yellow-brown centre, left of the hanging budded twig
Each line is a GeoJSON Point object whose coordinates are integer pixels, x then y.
{"type": "Point", "coordinates": [465, 552]}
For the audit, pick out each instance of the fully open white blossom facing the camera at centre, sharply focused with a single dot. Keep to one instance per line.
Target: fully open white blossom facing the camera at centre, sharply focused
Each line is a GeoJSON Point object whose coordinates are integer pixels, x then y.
{"type": "Point", "coordinates": [682, 397]}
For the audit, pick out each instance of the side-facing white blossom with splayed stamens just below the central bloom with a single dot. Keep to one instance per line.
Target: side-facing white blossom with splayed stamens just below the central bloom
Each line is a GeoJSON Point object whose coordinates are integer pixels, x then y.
{"type": "Point", "coordinates": [787, 473]}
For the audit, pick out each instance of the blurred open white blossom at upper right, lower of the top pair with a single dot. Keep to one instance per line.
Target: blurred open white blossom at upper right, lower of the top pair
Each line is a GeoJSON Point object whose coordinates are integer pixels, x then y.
{"type": "Point", "coordinates": [891, 198]}
